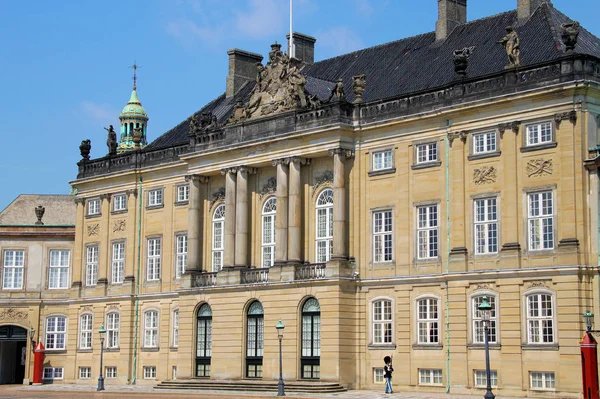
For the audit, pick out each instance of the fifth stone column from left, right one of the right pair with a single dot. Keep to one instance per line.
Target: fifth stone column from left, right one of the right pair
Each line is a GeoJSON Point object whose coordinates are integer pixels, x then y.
{"type": "Point", "coordinates": [295, 210]}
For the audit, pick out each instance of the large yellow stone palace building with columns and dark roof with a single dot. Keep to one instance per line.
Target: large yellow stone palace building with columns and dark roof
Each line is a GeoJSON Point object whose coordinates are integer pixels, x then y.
{"type": "Point", "coordinates": [368, 201]}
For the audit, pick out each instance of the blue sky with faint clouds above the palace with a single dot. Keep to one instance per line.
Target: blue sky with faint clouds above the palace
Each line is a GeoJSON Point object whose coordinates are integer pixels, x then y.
{"type": "Point", "coordinates": [64, 64]}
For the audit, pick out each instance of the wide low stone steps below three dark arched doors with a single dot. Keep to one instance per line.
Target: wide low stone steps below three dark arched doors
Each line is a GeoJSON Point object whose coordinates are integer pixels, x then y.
{"type": "Point", "coordinates": [251, 385]}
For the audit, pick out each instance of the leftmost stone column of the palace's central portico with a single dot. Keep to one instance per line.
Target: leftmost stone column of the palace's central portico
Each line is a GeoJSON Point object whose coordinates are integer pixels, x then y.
{"type": "Point", "coordinates": [196, 221]}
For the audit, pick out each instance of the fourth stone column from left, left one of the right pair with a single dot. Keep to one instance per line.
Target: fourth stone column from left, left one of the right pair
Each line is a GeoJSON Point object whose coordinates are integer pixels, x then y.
{"type": "Point", "coordinates": [281, 217]}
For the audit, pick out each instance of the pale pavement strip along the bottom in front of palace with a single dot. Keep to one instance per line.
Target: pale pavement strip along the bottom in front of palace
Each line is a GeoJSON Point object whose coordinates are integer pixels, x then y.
{"type": "Point", "coordinates": [68, 391]}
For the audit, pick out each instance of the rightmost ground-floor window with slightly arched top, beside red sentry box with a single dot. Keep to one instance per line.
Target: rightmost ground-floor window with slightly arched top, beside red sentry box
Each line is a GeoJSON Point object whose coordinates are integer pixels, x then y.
{"type": "Point", "coordinates": [540, 319]}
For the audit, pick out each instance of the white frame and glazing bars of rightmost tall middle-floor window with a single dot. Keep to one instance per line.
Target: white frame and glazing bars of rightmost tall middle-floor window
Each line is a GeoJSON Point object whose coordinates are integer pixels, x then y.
{"type": "Point", "coordinates": [540, 218]}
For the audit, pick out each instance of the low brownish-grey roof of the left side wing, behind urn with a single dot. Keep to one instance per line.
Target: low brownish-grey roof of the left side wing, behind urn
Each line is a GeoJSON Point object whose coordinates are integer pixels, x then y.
{"type": "Point", "coordinates": [60, 210]}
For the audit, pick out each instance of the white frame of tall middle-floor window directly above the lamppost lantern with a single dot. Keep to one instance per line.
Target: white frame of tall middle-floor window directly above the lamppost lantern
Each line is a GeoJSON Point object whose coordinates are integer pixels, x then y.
{"type": "Point", "coordinates": [487, 223]}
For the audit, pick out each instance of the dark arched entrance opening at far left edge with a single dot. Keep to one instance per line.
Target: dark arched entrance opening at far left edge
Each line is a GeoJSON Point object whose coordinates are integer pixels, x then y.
{"type": "Point", "coordinates": [13, 354]}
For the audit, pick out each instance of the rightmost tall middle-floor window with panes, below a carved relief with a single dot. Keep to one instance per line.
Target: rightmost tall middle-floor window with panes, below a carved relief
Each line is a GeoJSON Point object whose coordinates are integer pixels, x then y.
{"type": "Point", "coordinates": [540, 215]}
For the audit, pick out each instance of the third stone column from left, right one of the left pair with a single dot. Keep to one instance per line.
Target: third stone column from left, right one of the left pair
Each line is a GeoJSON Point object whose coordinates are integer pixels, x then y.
{"type": "Point", "coordinates": [241, 216]}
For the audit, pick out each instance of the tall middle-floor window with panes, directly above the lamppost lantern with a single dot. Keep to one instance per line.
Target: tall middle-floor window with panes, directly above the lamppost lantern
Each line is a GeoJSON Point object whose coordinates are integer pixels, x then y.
{"type": "Point", "coordinates": [486, 226]}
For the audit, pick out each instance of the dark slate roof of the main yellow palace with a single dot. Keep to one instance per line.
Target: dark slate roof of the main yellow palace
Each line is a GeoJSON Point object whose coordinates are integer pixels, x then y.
{"type": "Point", "coordinates": [418, 63]}
